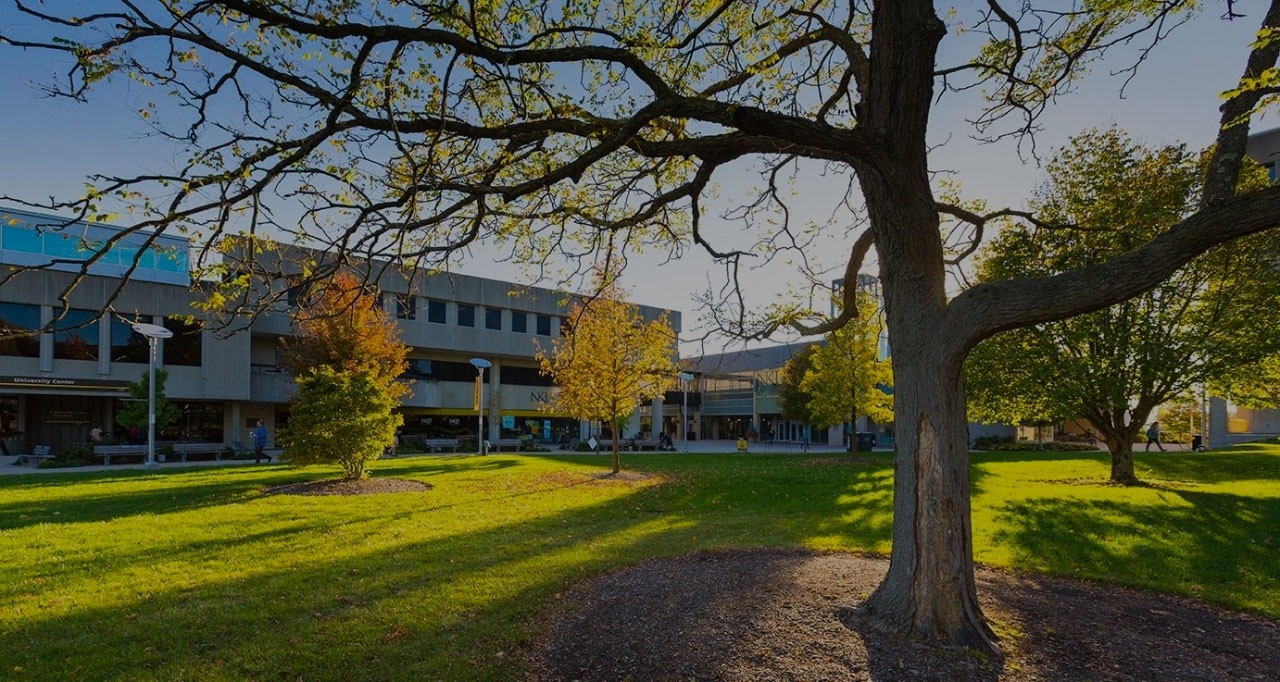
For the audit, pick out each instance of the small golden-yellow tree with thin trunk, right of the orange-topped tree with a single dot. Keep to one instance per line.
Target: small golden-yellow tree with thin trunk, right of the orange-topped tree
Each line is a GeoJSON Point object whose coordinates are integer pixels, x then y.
{"type": "Point", "coordinates": [610, 361]}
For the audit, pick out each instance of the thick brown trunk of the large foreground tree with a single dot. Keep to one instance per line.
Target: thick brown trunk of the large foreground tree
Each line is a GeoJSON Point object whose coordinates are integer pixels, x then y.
{"type": "Point", "coordinates": [930, 589]}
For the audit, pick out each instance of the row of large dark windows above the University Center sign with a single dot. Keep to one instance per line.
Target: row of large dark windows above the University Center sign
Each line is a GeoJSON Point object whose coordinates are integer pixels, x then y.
{"type": "Point", "coordinates": [76, 337]}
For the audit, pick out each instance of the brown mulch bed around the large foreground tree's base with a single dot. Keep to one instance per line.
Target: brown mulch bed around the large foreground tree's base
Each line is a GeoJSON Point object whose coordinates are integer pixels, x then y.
{"type": "Point", "coordinates": [784, 615]}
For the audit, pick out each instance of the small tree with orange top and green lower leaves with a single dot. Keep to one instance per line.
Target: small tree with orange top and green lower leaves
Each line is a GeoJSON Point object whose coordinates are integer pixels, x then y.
{"type": "Point", "coordinates": [348, 360]}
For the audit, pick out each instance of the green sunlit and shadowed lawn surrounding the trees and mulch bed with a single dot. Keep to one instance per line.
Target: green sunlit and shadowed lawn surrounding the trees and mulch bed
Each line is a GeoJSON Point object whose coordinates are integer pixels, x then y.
{"type": "Point", "coordinates": [196, 575]}
